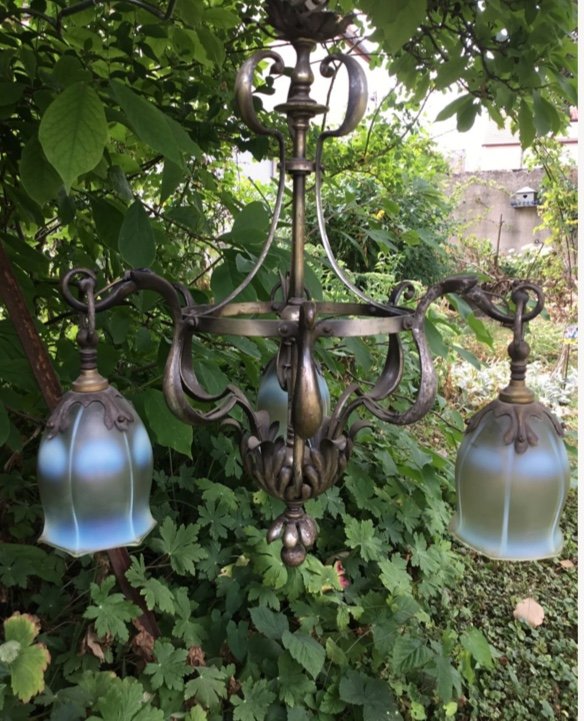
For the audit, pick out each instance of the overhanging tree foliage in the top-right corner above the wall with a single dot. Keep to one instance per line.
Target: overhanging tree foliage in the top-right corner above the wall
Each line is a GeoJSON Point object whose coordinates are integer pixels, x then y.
{"type": "Point", "coordinates": [511, 59]}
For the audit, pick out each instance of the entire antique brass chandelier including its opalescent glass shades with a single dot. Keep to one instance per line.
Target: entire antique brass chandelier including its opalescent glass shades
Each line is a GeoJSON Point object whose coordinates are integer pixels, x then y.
{"type": "Point", "coordinates": [95, 459]}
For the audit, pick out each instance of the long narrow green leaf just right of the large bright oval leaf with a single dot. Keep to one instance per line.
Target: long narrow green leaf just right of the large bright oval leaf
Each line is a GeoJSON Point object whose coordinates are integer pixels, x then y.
{"type": "Point", "coordinates": [153, 127]}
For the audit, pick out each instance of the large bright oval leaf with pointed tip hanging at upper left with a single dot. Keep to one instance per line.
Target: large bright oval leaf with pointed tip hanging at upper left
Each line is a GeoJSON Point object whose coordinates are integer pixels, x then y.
{"type": "Point", "coordinates": [73, 132]}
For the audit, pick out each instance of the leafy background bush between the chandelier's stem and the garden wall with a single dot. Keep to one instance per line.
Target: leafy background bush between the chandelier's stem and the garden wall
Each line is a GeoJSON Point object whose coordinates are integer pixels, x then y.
{"type": "Point", "coordinates": [365, 176]}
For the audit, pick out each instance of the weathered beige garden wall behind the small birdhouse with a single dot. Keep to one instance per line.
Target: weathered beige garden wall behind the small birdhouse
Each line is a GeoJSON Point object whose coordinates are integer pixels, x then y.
{"type": "Point", "coordinates": [484, 199]}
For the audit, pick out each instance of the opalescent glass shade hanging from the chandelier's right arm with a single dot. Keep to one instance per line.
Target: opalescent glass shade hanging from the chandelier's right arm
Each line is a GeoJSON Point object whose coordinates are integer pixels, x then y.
{"type": "Point", "coordinates": [509, 502]}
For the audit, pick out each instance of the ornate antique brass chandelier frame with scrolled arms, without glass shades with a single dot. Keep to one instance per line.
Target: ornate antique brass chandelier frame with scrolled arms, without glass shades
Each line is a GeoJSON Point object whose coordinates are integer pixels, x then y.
{"type": "Point", "coordinates": [311, 455]}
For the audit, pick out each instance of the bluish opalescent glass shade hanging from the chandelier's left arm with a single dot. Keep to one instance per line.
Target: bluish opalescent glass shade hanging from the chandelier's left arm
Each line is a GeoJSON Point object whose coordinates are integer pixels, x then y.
{"type": "Point", "coordinates": [95, 482]}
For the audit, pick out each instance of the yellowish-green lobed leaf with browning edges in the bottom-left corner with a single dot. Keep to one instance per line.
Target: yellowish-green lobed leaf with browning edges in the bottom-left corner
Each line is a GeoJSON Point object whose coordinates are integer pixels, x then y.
{"type": "Point", "coordinates": [26, 662]}
